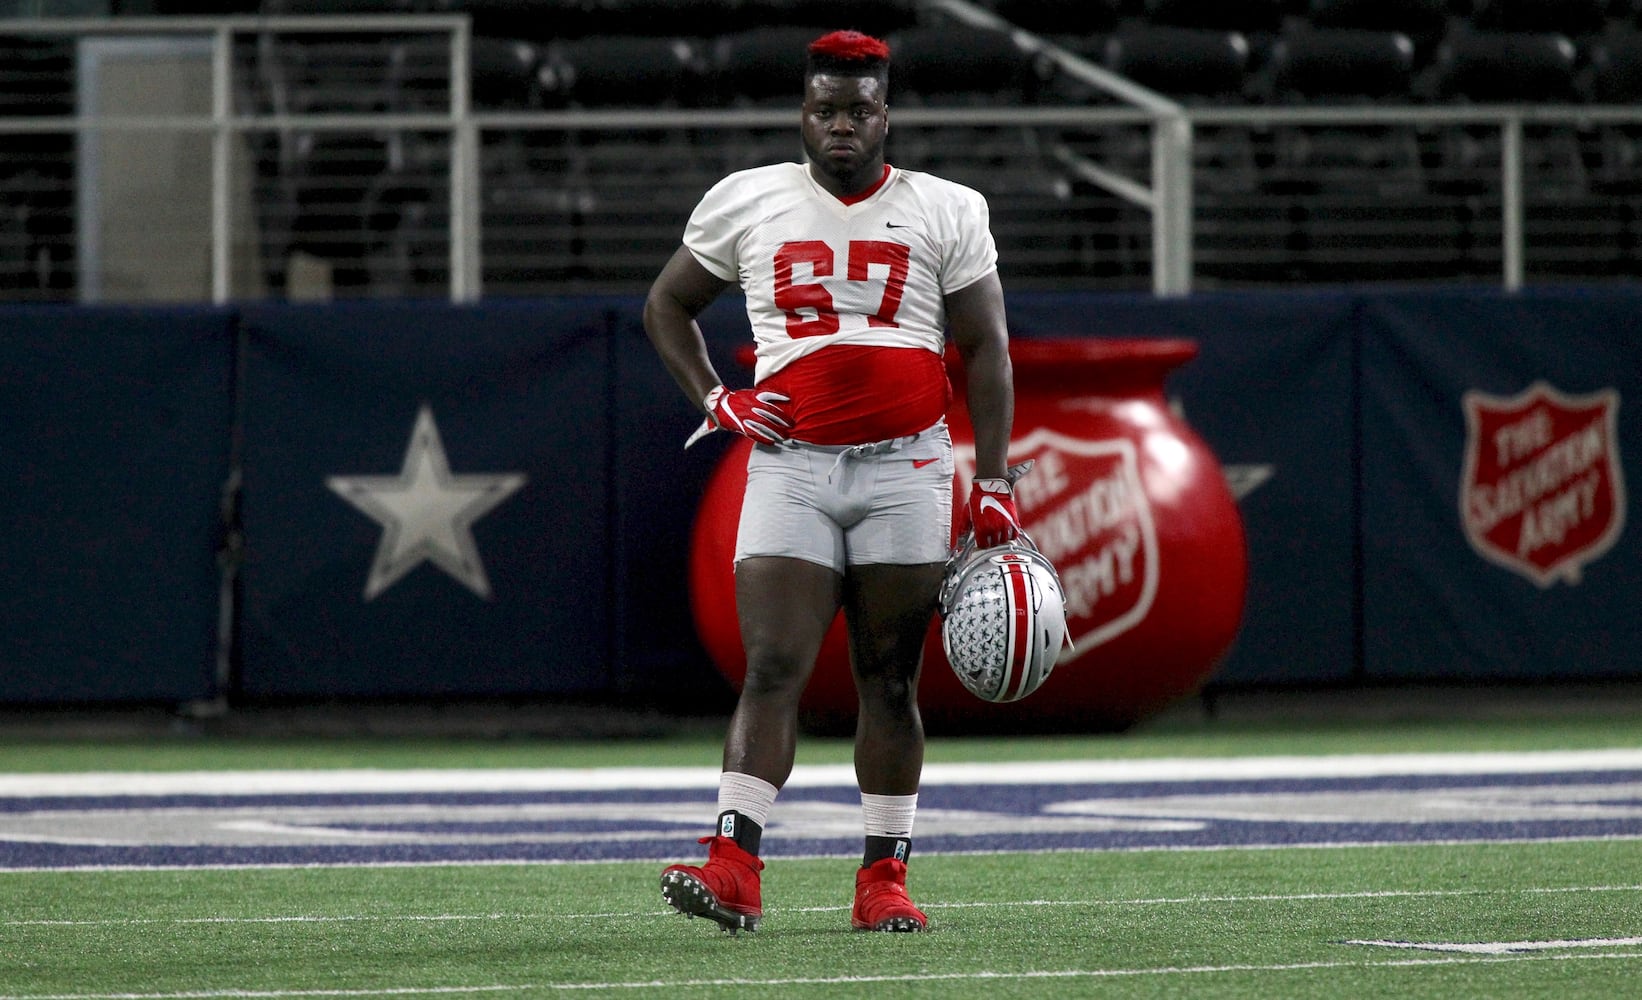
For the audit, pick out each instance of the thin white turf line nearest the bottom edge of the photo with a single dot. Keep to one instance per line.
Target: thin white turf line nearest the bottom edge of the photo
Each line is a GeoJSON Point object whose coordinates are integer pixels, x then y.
{"type": "Point", "coordinates": [828, 981]}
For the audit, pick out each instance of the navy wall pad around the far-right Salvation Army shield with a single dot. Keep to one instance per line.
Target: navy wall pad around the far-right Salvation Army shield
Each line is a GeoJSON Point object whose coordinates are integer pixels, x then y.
{"type": "Point", "coordinates": [1436, 610]}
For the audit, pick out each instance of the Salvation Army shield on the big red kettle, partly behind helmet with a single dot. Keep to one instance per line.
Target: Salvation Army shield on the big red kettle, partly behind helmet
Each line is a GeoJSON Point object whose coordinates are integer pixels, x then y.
{"type": "Point", "coordinates": [1088, 511]}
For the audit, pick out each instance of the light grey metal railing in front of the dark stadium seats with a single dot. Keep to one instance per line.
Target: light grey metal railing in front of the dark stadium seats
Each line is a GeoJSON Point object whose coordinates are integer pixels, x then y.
{"type": "Point", "coordinates": [1163, 190]}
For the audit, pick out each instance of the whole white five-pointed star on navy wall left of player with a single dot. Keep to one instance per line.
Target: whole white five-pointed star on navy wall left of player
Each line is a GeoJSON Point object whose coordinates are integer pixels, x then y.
{"type": "Point", "coordinates": [426, 513]}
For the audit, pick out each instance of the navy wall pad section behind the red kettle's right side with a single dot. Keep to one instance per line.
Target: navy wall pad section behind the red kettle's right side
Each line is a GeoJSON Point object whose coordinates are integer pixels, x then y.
{"type": "Point", "coordinates": [1272, 392]}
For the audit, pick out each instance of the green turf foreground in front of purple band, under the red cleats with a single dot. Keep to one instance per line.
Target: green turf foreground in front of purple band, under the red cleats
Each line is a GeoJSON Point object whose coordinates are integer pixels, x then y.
{"type": "Point", "coordinates": [1147, 924]}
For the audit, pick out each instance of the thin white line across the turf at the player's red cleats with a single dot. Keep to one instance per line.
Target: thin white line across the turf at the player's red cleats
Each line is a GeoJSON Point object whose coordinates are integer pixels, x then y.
{"type": "Point", "coordinates": [1411, 894]}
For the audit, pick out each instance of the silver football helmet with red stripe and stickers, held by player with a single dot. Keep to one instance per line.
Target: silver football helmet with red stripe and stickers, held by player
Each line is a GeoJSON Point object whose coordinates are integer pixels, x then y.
{"type": "Point", "coordinates": [1002, 618]}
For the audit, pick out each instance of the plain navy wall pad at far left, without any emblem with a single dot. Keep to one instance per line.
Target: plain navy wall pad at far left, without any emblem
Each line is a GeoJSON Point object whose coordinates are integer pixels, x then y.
{"type": "Point", "coordinates": [114, 452]}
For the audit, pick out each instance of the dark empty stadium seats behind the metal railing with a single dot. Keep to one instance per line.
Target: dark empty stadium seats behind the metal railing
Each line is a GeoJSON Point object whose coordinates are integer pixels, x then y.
{"type": "Point", "coordinates": [603, 206]}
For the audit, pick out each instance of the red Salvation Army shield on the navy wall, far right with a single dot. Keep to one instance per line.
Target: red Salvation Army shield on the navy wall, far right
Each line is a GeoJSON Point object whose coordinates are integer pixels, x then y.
{"type": "Point", "coordinates": [1544, 489]}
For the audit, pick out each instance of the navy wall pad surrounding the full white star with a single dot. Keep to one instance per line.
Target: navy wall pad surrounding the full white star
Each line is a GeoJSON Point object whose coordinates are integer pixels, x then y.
{"type": "Point", "coordinates": [513, 388]}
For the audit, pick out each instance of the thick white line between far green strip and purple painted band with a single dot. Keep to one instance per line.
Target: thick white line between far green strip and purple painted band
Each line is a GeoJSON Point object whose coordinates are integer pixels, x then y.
{"type": "Point", "coordinates": [837, 776]}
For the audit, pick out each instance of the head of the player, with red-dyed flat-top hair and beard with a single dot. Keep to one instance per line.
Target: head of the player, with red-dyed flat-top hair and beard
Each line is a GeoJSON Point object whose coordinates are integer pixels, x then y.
{"type": "Point", "coordinates": [846, 106]}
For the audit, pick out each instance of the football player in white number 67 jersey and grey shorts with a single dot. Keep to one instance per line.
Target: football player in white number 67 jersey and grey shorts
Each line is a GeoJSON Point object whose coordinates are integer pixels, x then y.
{"type": "Point", "coordinates": [855, 273]}
